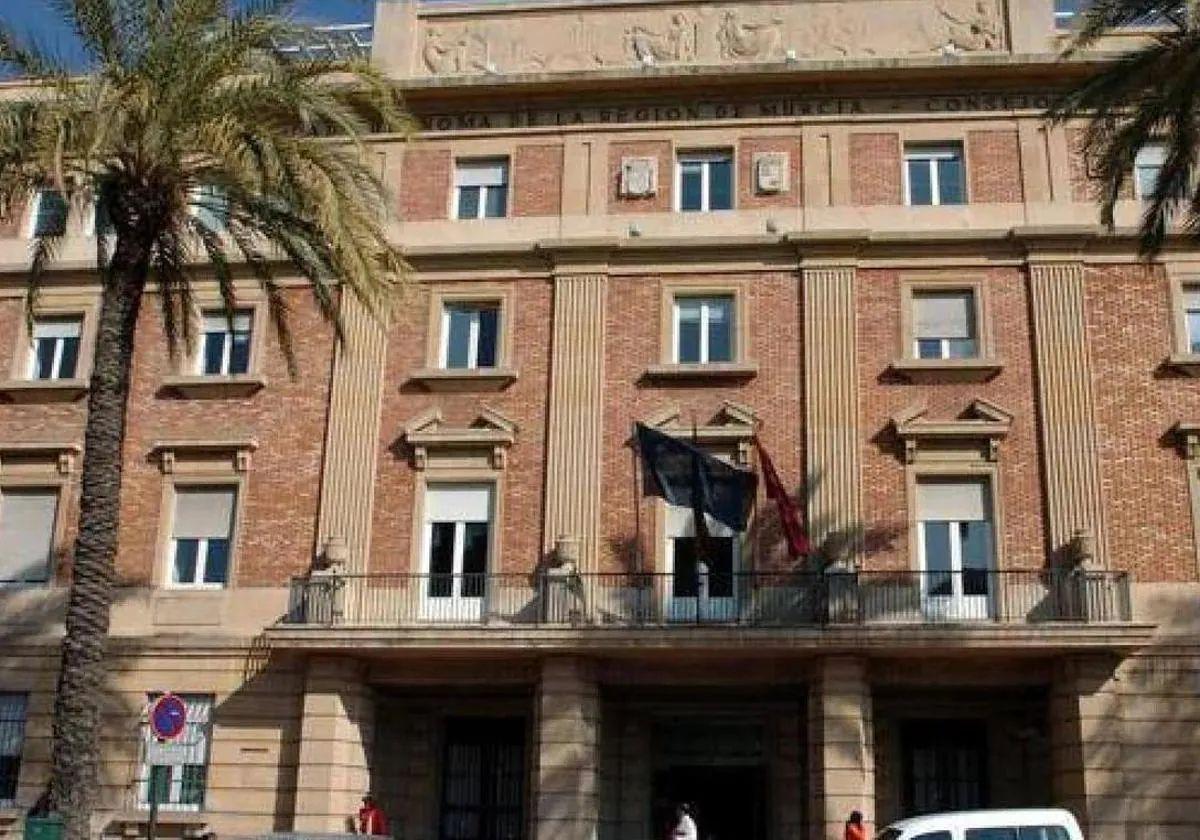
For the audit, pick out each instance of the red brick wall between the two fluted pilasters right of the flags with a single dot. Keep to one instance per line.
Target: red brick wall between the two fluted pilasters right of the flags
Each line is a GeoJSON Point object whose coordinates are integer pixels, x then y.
{"type": "Point", "coordinates": [885, 503]}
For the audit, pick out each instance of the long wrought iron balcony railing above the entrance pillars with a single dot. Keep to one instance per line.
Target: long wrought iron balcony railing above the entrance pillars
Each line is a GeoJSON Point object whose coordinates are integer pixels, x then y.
{"type": "Point", "coordinates": [746, 599]}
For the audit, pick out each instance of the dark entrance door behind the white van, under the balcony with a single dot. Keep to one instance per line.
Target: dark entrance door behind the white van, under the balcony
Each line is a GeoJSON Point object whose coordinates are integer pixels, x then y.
{"type": "Point", "coordinates": [945, 766]}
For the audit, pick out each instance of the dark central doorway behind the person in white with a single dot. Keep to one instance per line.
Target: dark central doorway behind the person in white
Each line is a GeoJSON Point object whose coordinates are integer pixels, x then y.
{"type": "Point", "coordinates": [728, 802]}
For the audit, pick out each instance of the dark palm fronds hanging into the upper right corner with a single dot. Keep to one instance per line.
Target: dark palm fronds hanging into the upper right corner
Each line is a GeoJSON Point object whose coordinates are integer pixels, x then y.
{"type": "Point", "coordinates": [1148, 95]}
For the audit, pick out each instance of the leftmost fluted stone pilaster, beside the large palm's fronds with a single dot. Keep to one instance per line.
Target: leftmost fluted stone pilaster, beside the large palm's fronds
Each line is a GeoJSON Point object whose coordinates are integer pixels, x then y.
{"type": "Point", "coordinates": [352, 435]}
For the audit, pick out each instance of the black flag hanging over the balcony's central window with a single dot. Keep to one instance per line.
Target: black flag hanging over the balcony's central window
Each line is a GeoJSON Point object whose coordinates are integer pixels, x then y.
{"type": "Point", "coordinates": [689, 477]}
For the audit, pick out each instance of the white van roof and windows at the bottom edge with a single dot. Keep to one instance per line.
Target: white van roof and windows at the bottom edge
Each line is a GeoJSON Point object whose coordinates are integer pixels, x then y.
{"type": "Point", "coordinates": [1018, 824]}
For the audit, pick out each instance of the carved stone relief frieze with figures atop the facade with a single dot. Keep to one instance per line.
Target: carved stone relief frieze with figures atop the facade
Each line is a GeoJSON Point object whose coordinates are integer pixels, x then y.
{"type": "Point", "coordinates": [573, 40]}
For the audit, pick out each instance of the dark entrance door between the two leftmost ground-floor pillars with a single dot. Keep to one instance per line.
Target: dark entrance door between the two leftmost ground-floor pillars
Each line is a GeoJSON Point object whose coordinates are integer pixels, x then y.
{"type": "Point", "coordinates": [483, 784]}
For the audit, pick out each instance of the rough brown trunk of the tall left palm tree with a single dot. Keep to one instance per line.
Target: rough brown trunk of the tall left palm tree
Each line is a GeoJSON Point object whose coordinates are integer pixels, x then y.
{"type": "Point", "coordinates": [77, 712]}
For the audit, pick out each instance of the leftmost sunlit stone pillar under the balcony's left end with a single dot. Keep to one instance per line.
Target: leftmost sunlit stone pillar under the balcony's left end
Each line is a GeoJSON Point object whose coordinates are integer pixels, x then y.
{"type": "Point", "coordinates": [337, 740]}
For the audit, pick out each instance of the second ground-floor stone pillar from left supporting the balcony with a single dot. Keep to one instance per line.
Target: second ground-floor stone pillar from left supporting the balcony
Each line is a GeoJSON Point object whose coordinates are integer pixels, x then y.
{"type": "Point", "coordinates": [566, 797]}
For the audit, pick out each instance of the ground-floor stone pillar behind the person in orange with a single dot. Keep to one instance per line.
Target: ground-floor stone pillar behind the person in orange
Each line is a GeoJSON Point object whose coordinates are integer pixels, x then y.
{"type": "Point", "coordinates": [842, 746]}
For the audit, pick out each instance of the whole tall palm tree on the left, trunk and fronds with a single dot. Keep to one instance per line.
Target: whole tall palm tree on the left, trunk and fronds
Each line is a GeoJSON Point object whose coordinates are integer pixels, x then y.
{"type": "Point", "coordinates": [184, 104]}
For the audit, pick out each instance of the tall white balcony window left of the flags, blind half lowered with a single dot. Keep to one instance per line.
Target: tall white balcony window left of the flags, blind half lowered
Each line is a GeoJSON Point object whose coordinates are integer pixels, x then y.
{"type": "Point", "coordinates": [458, 536]}
